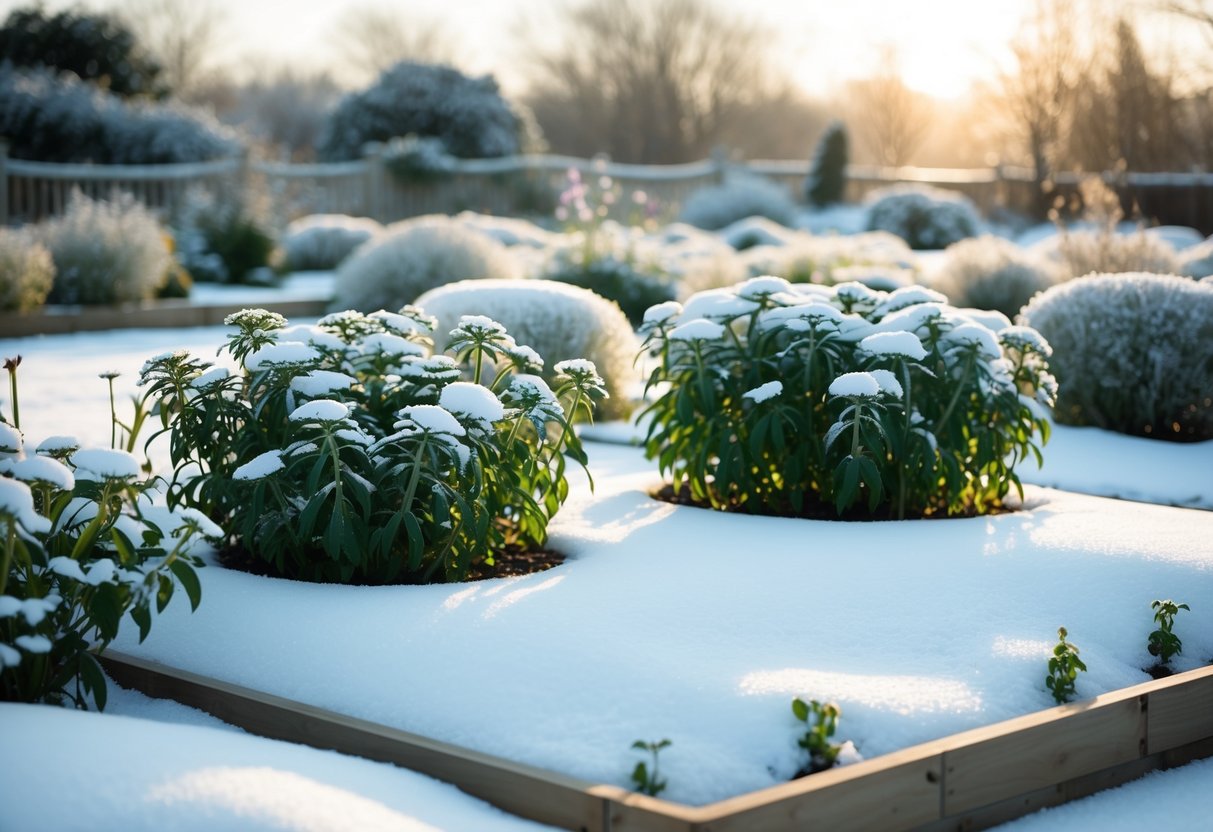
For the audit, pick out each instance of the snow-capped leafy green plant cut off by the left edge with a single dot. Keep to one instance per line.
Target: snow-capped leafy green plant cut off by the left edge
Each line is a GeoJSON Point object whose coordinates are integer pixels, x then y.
{"type": "Point", "coordinates": [82, 546]}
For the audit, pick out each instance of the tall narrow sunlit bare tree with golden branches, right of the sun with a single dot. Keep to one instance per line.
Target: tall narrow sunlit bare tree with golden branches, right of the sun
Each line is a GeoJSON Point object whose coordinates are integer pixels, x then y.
{"type": "Point", "coordinates": [1039, 92]}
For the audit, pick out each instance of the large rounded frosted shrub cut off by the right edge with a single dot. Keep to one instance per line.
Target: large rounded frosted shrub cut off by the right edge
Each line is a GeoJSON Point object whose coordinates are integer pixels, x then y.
{"type": "Point", "coordinates": [1134, 354]}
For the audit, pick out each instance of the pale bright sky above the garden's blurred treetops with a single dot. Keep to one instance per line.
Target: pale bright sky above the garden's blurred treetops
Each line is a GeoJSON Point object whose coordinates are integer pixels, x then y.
{"type": "Point", "coordinates": [943, 45]}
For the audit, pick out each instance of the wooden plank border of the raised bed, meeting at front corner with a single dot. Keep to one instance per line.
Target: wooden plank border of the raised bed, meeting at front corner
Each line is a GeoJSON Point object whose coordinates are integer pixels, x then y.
{"type": "Point", "coordinates": [966, 782]}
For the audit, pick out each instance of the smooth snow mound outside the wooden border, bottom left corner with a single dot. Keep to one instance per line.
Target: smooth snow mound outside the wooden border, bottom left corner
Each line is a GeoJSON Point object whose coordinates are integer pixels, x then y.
{"type": "Point", "coordinates": [144, 776]}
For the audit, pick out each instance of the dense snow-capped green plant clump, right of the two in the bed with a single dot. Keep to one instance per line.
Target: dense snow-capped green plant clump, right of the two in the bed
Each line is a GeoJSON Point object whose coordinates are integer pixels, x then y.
{"type": "Point", "coordinates": [785, 400]}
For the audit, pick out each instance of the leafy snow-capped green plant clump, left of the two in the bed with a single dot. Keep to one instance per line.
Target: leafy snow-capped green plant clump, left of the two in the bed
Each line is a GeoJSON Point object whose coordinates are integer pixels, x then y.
{"type": "Point", "coordinates": [348, 452]}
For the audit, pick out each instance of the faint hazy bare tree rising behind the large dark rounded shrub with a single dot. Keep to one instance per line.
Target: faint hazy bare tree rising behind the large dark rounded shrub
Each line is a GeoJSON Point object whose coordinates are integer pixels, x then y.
{"type": "Point", "coordinates": [374, 38]}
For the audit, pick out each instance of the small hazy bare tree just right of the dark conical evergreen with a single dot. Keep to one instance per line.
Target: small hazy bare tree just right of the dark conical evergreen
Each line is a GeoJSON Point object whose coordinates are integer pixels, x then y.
{"type": "Point", "coordinates": [890, 118]}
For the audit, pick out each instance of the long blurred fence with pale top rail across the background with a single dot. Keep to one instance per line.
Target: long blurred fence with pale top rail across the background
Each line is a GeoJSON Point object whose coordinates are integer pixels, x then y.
{"type": "Point", "coordinates": [531, 185]}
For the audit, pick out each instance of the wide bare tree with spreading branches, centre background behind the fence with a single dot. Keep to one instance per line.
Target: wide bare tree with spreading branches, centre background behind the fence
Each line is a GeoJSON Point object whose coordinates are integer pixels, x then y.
{"type": "Point", "coordinates": [647, 82]}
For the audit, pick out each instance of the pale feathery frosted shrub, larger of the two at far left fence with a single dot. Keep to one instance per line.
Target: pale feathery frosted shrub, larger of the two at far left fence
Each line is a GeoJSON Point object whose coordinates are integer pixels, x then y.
{"type": "Point", "coordinates": [105, 252]}
